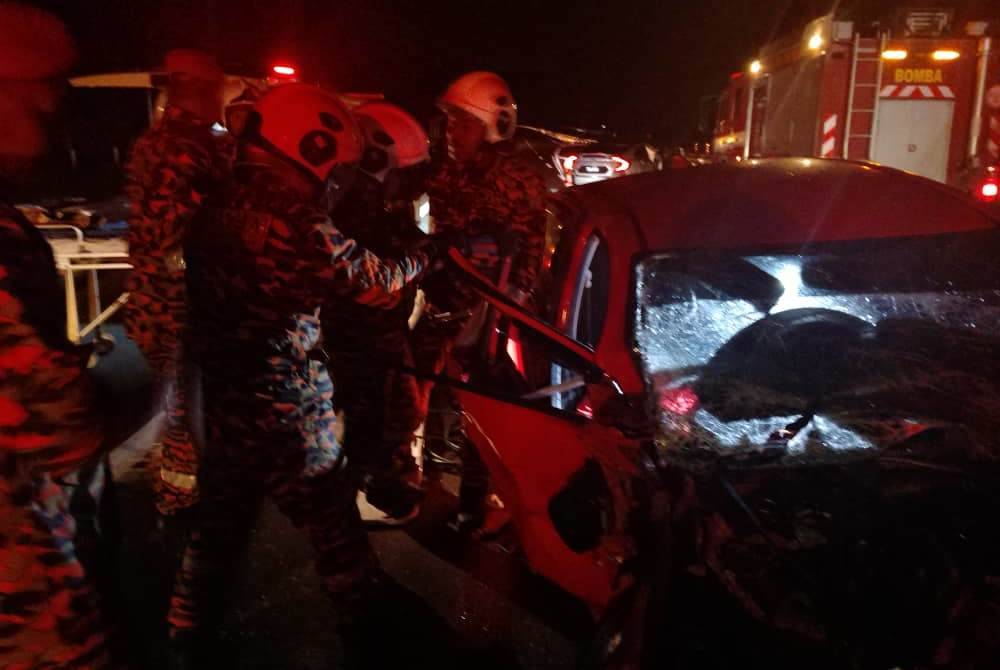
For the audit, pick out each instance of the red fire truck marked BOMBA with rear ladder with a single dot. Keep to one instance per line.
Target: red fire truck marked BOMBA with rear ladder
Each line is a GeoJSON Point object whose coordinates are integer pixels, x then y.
{"type": "Point", "coordinates": [915, 89]}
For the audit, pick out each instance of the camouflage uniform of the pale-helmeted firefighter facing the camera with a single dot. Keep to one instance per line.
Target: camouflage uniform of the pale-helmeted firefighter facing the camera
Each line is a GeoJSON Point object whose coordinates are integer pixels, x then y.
{"type": "Point", "coordinates": [499, 203]}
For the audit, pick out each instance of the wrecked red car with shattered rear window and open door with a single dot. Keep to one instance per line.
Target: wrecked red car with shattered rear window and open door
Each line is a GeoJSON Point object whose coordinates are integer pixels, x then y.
{"type": "Point", "coordinates": [735, 420]}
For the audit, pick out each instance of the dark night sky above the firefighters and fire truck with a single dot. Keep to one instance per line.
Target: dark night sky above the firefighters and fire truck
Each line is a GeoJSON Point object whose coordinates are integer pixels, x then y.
{"type": "Point", "coordinates": [639, 66]}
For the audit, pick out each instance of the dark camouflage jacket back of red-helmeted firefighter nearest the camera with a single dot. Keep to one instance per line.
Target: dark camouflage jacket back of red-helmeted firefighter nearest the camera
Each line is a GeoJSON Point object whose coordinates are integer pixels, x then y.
{"type": "Point", "coordinates": [252, 297]}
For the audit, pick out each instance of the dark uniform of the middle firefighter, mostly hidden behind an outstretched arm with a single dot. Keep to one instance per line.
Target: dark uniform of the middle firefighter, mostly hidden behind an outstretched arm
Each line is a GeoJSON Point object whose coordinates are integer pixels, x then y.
{"type": "Point", "coordinates": [368, 346]}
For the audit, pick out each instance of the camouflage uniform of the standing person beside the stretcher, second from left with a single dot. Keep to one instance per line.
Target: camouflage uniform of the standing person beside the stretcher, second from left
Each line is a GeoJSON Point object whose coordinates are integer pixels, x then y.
{"type": "Point", "coordinates": [173, 169]}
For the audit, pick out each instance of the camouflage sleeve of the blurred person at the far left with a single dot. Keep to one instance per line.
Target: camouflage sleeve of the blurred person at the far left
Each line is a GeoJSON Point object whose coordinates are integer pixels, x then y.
{"type": "Point", "coordinates": [46, 421]}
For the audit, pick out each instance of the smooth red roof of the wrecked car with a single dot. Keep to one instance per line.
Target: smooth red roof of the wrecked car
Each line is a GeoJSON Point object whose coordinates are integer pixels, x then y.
{"type": "Point", "coordinates": [773, 202]}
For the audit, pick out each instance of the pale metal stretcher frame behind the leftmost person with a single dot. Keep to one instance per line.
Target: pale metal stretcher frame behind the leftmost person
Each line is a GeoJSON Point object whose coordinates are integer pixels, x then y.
{"type": "Point", "coordinates": [90, 258]}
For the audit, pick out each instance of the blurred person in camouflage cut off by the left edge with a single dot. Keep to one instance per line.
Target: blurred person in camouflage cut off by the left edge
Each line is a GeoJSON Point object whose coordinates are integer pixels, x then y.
{"type": "Point", "coordinates": [50, 615]}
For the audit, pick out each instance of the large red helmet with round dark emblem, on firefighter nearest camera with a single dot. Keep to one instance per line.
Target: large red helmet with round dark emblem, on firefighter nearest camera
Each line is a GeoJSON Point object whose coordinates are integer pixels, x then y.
{"type": "Point", "coordinates": [308, 126]}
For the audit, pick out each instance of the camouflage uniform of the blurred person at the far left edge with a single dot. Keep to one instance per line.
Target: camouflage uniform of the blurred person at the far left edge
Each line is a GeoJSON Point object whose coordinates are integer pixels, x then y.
{"type": "Point", "coordinates": [49, 615]}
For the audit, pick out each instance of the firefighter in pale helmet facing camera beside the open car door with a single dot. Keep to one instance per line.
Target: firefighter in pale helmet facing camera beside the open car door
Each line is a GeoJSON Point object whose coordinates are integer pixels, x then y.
{"type": "Point", "coordinates": [498, 201]}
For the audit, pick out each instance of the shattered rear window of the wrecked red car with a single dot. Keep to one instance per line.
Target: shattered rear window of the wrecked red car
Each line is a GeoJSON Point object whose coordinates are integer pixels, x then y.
{"type": "Point", "coordinates": [828, 351]}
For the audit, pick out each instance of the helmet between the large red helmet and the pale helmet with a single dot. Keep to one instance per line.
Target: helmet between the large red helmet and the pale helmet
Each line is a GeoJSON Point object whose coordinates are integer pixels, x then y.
{"type": "Point", "coordinates": [393, 139]}
